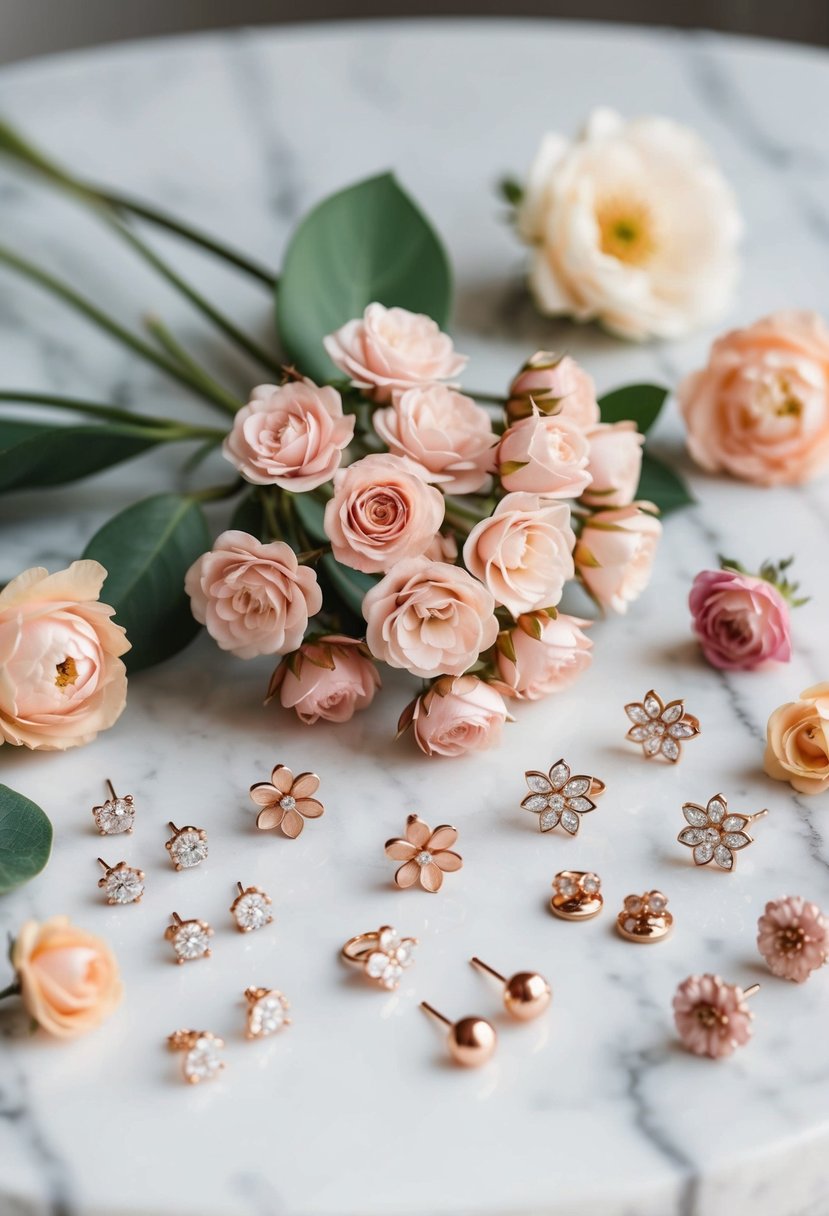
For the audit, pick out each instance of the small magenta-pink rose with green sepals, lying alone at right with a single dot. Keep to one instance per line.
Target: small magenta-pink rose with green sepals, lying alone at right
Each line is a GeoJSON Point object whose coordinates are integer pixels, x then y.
{"type": "Point", "coordinates": [742, 622]}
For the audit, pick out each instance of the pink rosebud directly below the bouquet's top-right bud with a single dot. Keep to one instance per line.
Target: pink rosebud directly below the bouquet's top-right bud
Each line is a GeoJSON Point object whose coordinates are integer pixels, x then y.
{"type": "Point", "coordinates": [545, 455]}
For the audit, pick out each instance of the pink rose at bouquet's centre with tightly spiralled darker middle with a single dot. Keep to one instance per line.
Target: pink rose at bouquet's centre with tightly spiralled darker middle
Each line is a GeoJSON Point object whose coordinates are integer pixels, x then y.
{"type": "Point", "coordinates": [382, 511]}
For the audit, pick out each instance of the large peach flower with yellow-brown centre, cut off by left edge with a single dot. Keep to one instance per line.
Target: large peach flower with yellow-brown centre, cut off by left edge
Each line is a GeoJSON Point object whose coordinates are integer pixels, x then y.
{"type": "Point", "coordinates": [61, 675]}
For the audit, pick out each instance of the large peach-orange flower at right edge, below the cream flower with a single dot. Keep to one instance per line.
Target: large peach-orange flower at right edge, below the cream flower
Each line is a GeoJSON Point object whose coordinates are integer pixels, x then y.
{"type": "Point", "coordinates": [760, 409]}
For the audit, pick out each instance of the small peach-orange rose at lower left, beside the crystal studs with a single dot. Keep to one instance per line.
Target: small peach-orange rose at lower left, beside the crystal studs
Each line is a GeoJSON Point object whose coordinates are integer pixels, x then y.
{"type": "Point", "coordinates": [70, 981]}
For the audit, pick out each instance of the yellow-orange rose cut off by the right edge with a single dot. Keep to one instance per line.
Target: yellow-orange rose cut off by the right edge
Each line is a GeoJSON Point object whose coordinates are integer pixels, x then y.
{"type": "Point", "coordinates": [798, 742]}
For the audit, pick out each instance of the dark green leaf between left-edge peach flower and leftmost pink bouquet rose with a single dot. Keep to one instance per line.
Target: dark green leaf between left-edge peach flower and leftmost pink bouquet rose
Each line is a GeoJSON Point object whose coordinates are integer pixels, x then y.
{"type": "Point", "coordinates": [148, 550]}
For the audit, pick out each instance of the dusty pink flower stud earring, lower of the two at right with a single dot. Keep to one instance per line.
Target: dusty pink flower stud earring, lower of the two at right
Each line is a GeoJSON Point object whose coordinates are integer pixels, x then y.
{"type": "Point", "coordinates": [712, 1017]}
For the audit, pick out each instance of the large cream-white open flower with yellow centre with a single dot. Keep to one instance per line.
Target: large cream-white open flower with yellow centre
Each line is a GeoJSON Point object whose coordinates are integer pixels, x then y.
{"type": "Point", "coordinates": [634, 226]}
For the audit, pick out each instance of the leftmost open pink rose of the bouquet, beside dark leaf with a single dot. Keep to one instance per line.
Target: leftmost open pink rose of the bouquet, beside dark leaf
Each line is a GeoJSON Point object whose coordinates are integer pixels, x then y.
{"type": "Point", "coordinates": [253, 599]}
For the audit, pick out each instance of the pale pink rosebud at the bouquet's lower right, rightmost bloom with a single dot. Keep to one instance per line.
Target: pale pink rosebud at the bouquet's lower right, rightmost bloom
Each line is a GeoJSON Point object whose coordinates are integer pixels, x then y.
{"type": "Point", "coordinates": [616, 555]}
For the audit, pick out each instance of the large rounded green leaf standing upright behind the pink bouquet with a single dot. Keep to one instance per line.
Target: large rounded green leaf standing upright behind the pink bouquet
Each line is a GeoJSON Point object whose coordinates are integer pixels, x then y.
{"type": "Point", "coordinates": [366, 244]}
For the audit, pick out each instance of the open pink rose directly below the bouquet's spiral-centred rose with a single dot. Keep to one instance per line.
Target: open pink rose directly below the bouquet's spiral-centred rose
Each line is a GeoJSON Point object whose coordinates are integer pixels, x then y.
{"type": "Point", "coordinates": [430, 618]}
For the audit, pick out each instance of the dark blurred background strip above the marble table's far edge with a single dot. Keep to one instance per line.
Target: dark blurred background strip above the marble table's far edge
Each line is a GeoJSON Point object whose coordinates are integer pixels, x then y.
{"type": "Point", "coordinates": [38, 27]}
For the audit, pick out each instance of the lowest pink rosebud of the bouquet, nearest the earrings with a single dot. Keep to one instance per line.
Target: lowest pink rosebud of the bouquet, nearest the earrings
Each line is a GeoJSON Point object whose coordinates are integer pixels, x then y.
{"type": "Point", "coordinates": [456, 716]}
